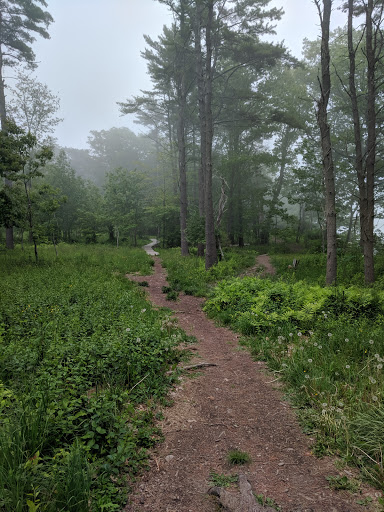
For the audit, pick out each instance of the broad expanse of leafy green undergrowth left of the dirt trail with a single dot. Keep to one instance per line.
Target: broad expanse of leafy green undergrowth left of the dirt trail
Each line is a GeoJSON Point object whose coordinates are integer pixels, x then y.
{"type": "Point", "coordinates": [84, 360]}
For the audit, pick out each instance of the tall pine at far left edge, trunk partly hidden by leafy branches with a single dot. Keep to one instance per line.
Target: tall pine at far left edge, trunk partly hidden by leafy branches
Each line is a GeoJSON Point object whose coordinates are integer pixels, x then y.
{"type": "Point", "coordinates": [19, 21]}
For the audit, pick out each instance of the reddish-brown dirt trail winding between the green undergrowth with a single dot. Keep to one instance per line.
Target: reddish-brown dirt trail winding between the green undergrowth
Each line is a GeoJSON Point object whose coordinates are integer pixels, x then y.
{"type": "Point", "coordinates": [236, 404]}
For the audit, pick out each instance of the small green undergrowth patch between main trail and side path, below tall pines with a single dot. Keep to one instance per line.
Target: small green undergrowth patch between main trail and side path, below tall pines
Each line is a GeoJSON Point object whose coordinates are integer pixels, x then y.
{"type": "Point", "coordinates": [188, 273]}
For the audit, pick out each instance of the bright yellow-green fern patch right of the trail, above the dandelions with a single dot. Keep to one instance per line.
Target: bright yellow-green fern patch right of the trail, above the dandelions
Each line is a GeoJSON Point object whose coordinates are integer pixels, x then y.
{"type": "Point", "coordinates": [254, 305]}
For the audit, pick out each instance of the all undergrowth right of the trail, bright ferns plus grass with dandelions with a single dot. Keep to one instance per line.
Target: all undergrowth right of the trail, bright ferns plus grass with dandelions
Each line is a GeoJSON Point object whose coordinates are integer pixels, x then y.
{"type": "Point", "coordinates": [327, 346]}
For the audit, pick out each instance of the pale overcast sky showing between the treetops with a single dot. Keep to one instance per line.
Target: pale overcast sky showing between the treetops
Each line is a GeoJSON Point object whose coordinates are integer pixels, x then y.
{"type": "Point", "coordinates": [92, 59]}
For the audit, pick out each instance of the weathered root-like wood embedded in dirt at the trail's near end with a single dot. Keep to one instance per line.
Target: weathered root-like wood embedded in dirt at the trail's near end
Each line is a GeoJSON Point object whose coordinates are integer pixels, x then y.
{"type": "Point", "coordinates": [244, 501]}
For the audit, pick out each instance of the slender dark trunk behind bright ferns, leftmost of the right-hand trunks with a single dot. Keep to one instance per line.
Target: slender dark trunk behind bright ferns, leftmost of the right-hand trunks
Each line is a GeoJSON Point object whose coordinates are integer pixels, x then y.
{"type": "Point", "coordinates": [326, 146]}
